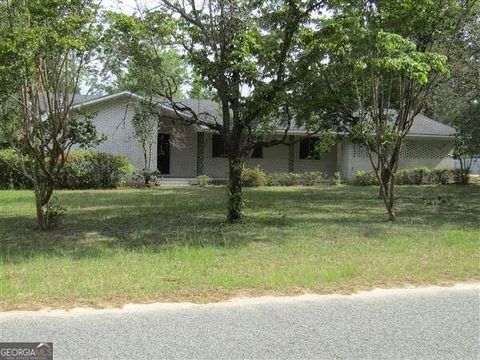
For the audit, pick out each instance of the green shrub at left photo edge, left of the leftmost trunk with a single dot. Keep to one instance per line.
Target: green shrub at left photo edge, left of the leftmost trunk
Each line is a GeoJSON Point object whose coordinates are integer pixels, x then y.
{"type": "Point", "coordinates": [11, 175]}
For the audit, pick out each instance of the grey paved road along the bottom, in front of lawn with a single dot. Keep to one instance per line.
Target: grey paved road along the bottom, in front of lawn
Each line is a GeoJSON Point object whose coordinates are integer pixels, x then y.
{"type": "Point", "coordinates": [434, 323]}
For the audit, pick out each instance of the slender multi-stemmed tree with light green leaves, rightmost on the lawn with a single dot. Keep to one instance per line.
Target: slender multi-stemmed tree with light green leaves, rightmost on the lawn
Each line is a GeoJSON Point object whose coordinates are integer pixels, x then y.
{"type": "Point", "coordinates": [372, 66]}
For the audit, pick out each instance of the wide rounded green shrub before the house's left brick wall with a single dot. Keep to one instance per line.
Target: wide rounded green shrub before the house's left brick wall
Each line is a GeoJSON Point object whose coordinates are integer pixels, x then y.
{"type": "Point", "coordinates": [92, 170]}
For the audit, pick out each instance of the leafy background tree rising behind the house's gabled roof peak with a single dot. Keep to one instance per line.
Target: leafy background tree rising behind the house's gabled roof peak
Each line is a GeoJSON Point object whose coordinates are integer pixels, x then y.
{"type": "Point", "coordinates": [139, 53]}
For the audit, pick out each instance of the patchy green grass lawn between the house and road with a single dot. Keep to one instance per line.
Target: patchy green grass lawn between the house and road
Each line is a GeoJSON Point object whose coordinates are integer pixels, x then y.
{"type": "Point", "coordinates": [171, 244]}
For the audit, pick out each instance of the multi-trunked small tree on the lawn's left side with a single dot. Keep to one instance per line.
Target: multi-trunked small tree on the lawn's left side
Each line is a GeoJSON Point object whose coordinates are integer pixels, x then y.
{"type": "Point", "coordinates": [44, 47]}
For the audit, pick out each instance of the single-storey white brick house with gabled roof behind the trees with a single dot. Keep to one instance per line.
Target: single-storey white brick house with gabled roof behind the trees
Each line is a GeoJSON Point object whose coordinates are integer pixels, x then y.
{"type": "Point", "coordinates": [189, 151]}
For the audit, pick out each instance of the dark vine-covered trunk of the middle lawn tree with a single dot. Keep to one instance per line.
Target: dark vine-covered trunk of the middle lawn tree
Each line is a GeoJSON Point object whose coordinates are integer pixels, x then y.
{"type": "Point", "coordinates": [235, 196]}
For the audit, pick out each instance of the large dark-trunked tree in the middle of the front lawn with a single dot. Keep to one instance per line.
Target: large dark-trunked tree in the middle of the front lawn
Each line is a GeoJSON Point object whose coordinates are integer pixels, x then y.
{"type": "Point", "coordinates": [243, 51]}
